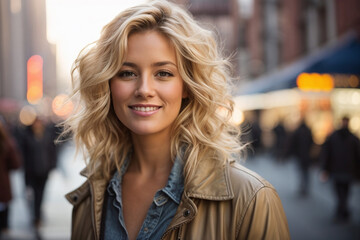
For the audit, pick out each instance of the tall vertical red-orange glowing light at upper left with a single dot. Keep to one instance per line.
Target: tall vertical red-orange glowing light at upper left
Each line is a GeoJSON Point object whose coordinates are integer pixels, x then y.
{"type": "Point", "coordinates": [34, 79]}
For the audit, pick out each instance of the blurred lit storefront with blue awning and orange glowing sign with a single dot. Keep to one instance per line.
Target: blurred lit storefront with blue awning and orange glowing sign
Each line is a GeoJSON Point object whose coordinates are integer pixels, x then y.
{"type": "Point", "coordinates": [320, 89]}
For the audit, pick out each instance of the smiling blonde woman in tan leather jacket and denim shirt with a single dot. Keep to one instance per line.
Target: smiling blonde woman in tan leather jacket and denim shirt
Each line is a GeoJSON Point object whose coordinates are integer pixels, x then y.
{"type": "Point", "coordinates": [154, 121]}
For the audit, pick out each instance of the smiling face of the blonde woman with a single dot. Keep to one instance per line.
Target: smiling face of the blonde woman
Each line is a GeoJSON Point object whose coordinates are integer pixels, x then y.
{"type": "Point", "coordinates": [148, 90]}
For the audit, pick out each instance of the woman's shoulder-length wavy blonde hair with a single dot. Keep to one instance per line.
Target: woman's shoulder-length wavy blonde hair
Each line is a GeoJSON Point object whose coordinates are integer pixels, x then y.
{"type": "Point", "coordinates": [202, 130]}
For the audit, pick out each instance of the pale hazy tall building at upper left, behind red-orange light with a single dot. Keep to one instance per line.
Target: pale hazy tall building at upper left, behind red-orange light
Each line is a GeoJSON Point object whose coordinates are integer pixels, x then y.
{"type": "Point", "coordinates": [22, 35]}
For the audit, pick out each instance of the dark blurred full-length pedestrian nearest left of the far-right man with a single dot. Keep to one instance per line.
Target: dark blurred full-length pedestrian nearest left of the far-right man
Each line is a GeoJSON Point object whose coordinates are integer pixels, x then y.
{"type": "Point", "coordinates": [300, 146]}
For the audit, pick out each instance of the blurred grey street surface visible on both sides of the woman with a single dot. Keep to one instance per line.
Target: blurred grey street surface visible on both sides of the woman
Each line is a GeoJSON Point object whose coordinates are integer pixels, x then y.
{"type": "Point", "coordinates": [309, 217]}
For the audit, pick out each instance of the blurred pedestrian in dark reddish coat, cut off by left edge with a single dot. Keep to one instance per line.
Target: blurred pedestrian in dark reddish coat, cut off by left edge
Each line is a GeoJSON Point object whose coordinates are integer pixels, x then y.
{"type": "Point", "coordinates": [9, 160]}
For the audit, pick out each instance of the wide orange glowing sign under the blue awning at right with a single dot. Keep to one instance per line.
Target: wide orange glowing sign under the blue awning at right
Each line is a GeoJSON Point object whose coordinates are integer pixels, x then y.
{"type": "Point", "coordinates": [315, 82]}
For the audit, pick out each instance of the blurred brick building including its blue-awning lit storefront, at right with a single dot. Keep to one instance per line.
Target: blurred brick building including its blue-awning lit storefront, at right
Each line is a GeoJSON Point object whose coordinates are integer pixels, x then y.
{"type": "Point", "coordinates": [301, 59]}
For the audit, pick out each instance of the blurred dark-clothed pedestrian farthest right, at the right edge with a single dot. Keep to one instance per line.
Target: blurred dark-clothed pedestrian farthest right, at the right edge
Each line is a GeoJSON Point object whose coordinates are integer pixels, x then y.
{"type": "Point", "coordinates": [340, 158]}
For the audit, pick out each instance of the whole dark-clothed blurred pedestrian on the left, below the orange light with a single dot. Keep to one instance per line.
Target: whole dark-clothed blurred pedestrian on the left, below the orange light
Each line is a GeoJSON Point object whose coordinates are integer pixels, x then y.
{"type": "Point", "coordinates": [39, 159]}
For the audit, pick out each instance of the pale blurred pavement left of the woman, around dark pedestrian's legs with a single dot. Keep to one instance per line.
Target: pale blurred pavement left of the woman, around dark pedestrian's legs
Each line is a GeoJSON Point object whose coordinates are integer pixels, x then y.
{"type": "Point", "coordinates": [56, 209]}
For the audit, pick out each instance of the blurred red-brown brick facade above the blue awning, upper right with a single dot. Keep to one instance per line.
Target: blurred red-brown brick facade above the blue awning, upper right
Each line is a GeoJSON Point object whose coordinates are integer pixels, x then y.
{"type": "Point", "coordinates": [279, 32]}
